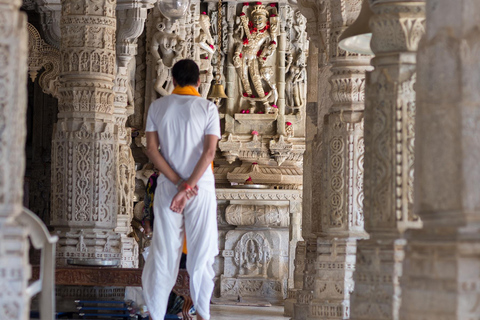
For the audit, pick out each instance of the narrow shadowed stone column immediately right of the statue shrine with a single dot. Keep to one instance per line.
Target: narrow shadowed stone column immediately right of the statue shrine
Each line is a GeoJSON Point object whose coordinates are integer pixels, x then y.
{"type": "Point", "coordinates": [317, 22]}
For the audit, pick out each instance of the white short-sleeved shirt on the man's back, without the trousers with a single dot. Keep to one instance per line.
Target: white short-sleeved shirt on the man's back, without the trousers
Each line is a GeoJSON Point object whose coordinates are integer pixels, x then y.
{"type": "Point", "coordinates": [182, 121]}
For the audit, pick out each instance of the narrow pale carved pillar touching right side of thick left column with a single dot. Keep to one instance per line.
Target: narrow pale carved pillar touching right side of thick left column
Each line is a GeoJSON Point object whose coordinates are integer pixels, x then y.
{"type": "Point", "coordinates": [131, 20]}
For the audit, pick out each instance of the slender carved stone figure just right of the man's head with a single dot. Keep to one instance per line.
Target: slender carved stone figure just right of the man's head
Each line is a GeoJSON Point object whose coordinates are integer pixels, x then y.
{"type": "Point", "coordinates": [205, 52]}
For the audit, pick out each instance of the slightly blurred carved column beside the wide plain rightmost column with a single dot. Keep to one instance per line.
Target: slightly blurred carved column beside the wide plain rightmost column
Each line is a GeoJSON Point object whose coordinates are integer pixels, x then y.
{"type": "Point", "coordinates": [389, 139]}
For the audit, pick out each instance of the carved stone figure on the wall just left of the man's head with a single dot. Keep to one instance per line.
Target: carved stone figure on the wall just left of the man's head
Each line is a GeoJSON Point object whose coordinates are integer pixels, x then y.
{"type": "Point", "coordinates": [166, 48]}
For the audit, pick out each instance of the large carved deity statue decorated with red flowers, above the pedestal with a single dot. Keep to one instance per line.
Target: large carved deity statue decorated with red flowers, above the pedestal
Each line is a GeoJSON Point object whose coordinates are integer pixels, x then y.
{"type": "Point", "coordinates": [251, 56]}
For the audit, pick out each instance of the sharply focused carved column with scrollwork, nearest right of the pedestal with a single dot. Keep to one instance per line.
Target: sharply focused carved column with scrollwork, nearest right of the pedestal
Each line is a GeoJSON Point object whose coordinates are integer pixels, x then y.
{"type": "Point", "coordinates": [343, 148]}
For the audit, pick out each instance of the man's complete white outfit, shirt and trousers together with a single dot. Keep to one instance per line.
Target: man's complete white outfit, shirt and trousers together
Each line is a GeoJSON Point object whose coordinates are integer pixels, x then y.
{"type": "Point", "coordinates": [182, 123]}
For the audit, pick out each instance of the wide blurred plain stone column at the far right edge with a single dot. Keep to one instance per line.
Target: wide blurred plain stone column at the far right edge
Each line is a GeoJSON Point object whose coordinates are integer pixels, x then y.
{"type": "Point", "coordinates": [442, 261]}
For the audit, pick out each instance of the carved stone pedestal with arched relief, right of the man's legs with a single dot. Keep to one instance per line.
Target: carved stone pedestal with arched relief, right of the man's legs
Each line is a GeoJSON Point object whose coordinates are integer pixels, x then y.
{"type": "Point", "coordinates": [256, 250]}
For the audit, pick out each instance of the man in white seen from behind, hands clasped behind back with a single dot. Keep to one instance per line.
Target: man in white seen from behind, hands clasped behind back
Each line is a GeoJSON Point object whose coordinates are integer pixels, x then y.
{"type": "Point", "coordinates": [186, 127]}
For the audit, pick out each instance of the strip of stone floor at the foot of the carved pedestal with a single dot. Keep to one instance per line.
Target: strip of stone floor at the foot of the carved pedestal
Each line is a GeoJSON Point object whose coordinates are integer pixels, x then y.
{"type": "Point", "coordinates": [219, 312]}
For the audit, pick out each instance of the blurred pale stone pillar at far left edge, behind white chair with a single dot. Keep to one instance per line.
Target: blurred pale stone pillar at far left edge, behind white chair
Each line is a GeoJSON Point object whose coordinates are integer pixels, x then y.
{"type": "Point", "coordinates": [14, 302]}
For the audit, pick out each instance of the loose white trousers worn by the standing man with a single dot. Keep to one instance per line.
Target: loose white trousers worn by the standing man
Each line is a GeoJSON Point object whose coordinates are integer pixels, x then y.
{"type": "Point", "coordinates": [199, 221]}
